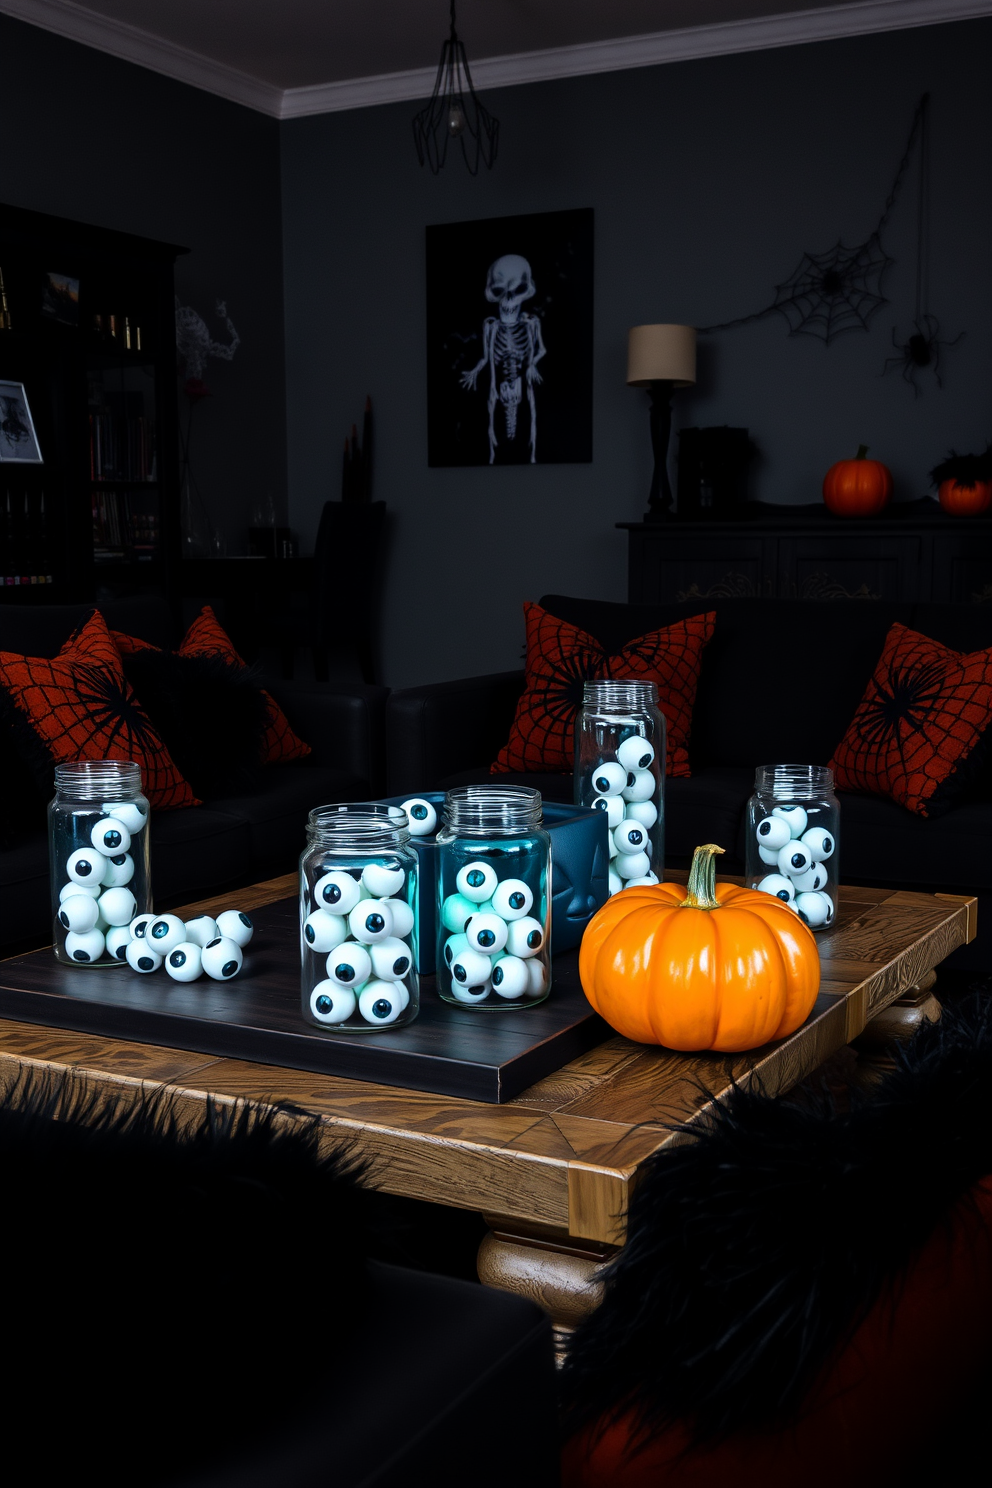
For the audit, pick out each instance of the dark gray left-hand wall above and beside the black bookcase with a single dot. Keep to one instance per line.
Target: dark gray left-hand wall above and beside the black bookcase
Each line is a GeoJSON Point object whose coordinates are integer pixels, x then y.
{"type": "Point", "coordinates": [99, 141]}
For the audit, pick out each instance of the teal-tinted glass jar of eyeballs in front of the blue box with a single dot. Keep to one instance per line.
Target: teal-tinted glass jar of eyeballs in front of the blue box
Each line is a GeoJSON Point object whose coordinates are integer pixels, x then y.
{"type": "Point", "coordinates": [495, 874]}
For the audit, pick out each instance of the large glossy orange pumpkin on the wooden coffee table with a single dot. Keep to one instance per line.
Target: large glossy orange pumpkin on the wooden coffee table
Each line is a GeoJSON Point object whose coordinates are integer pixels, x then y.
{"type": "Point", "coordinates": [710, 966]}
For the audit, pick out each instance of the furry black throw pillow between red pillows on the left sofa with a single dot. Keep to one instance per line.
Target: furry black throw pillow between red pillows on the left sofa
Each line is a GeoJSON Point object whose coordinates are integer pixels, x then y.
{"type": "Point", "coordinates": [210, 715]}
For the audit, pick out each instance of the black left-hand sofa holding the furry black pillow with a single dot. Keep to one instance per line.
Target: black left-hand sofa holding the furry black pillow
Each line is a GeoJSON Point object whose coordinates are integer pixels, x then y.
{"type": "Point", "coordinates": [225, 843]}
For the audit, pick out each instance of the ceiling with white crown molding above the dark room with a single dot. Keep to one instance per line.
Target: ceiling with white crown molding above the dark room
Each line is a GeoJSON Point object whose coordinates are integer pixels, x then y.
{"type": "Point", "coordinates": [312, 56]}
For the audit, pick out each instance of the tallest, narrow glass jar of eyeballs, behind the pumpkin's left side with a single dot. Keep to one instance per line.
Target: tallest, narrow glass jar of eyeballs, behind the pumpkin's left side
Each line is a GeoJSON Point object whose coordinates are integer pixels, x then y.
{"type": "Point", "coordinates": [621, 772]}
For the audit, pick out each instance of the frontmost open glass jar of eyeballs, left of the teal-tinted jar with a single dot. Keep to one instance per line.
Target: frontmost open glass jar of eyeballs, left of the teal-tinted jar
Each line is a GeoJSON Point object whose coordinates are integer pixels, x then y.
{"type": "Point", "coordinates": [358, 901]}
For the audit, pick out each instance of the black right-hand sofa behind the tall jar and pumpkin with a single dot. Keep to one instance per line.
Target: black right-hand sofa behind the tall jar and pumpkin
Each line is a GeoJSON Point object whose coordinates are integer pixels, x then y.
{"type": "Point", "coordinates": [780, 682]}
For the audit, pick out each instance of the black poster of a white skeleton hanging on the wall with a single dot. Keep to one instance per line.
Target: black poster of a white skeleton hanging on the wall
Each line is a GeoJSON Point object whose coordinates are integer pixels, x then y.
{"type": "Point", "coordinates": [509, 340]}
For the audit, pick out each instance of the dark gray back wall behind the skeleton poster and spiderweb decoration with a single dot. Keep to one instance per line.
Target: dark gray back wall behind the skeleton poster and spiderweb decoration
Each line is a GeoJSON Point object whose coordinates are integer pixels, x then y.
{"type": "Point", "coordinates": [709, 181]}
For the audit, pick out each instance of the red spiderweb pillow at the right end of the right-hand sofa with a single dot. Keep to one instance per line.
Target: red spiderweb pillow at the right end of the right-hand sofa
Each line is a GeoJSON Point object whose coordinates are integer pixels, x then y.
{"type": "Point", "coordinates": [915, 733]}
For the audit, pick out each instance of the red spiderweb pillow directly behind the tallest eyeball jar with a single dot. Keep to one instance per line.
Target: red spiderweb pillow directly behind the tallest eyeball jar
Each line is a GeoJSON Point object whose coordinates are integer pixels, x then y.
{"type": "Point", "coordinates": [561, 658]}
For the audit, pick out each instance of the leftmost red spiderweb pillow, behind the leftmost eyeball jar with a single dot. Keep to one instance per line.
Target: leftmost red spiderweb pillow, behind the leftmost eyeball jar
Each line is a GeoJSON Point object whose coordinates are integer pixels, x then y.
{"type": "Point", "coordinates": [80, 706]}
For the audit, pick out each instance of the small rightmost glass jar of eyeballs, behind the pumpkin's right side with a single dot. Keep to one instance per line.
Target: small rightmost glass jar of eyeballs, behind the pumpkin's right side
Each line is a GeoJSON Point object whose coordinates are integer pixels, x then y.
{"type": "Point", "coordinates": [793, 838]}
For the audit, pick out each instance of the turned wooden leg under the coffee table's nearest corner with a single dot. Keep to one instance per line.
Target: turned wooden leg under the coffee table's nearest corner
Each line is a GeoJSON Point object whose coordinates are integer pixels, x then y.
{"type": "Point", "coordinates": [554, 1270]}
